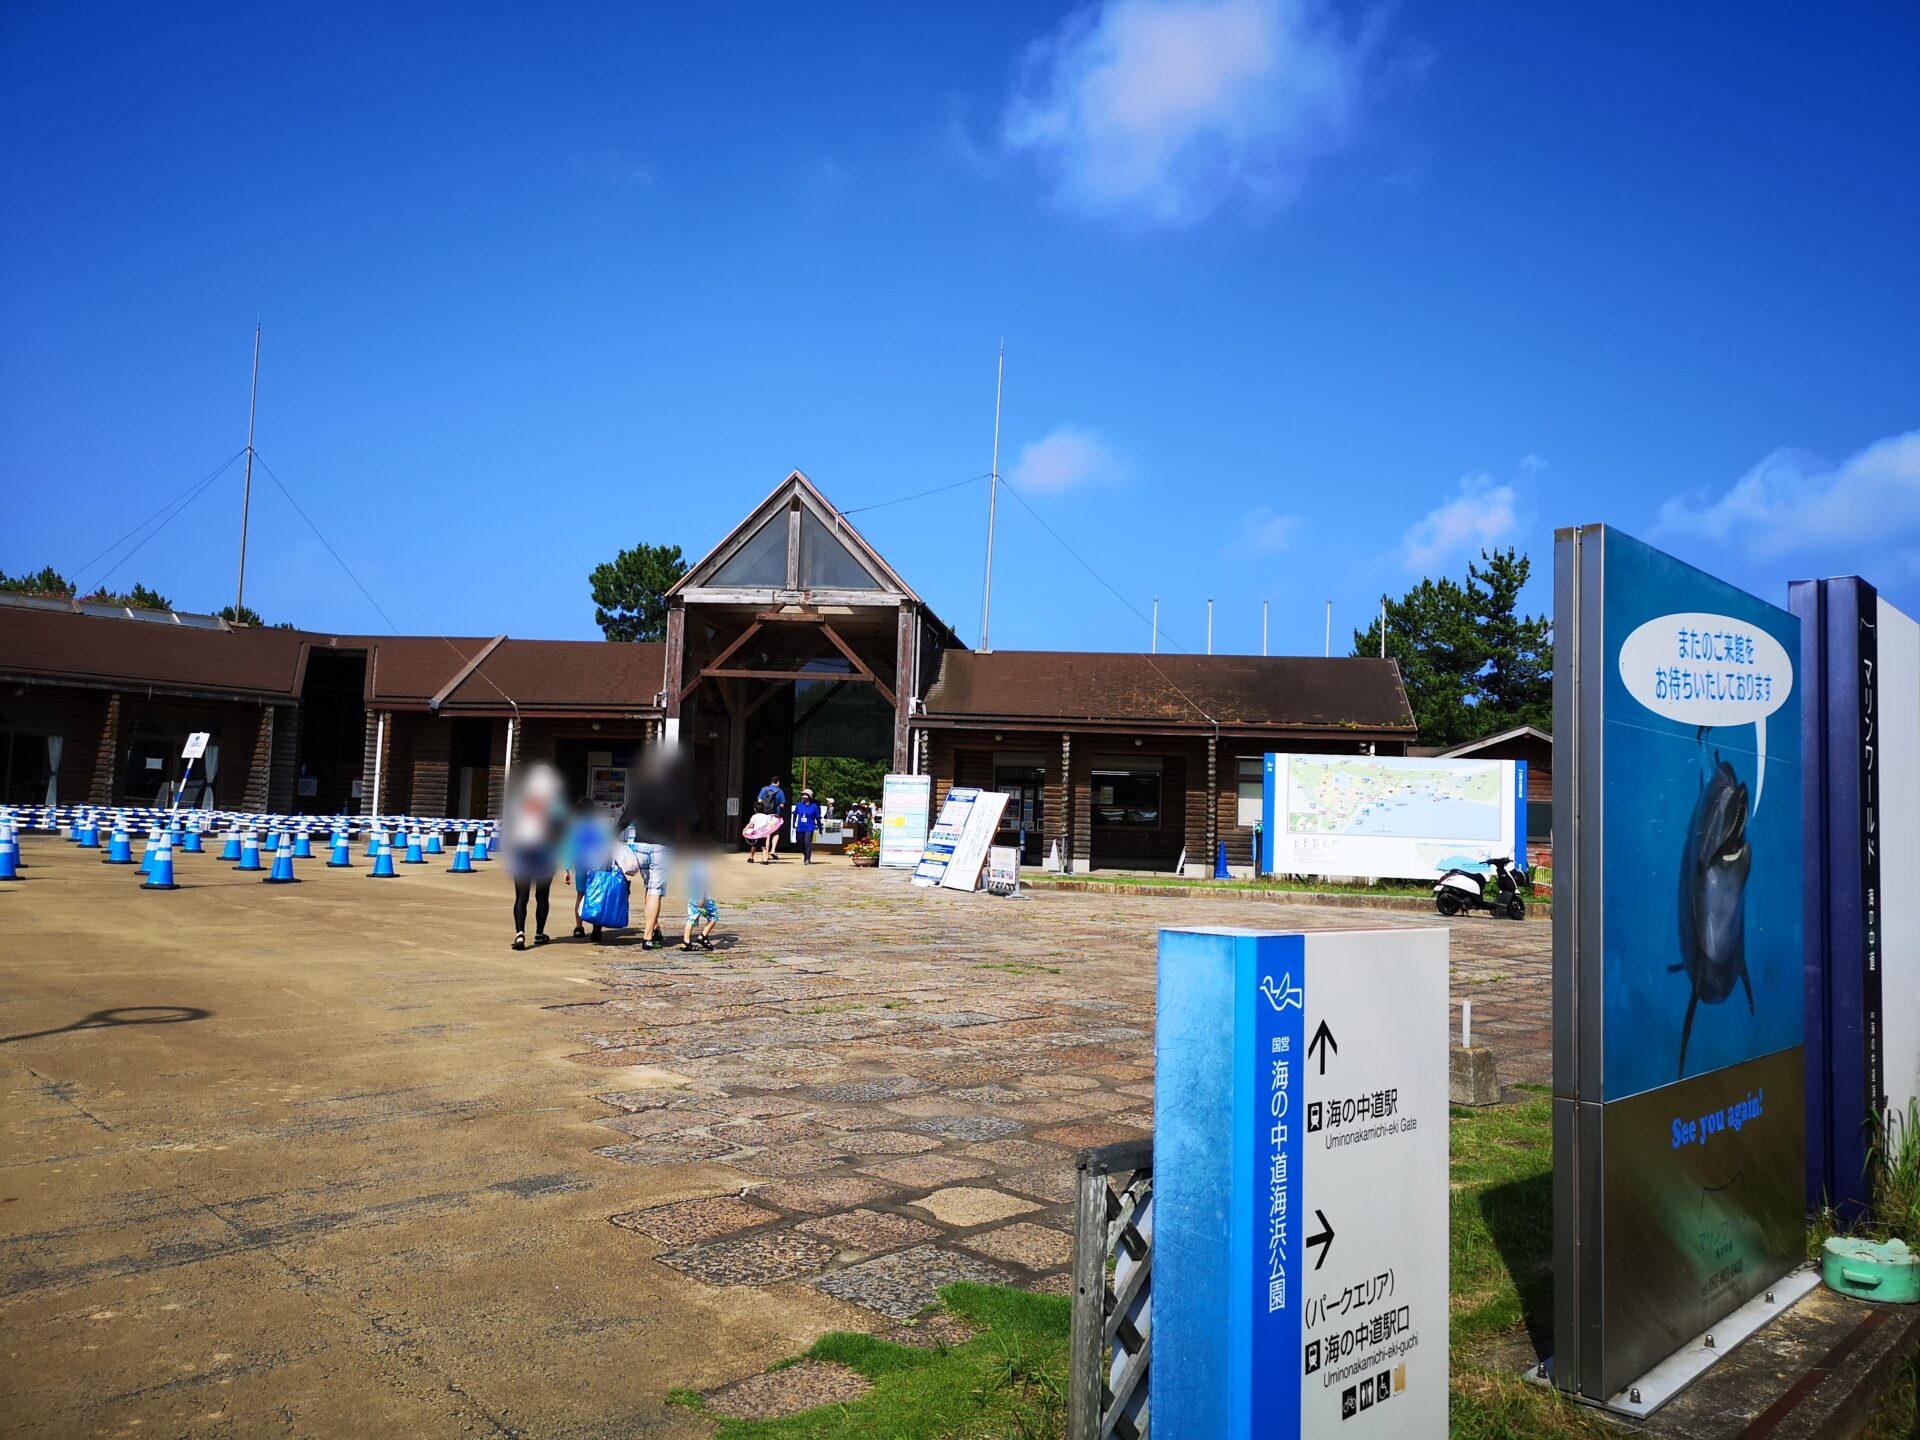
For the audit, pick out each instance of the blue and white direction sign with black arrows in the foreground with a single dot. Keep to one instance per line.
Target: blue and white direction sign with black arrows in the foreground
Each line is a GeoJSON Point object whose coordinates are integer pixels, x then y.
{"type": "Point", "coordinates": [1301, 1186]}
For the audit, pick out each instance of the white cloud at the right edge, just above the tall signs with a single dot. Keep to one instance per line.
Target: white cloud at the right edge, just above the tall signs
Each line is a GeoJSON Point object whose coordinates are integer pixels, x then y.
{"type": "Point", "coordinates": [1794, 504]}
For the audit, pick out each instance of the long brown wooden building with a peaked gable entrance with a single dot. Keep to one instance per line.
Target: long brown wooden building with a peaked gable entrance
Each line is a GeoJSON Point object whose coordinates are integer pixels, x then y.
{"type": "Point", "coordinates": [792, 636]}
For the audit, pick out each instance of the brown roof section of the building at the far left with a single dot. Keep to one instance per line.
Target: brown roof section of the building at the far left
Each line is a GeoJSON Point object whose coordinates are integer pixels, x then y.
{"type": "Point", "coordinates": [149, 654]}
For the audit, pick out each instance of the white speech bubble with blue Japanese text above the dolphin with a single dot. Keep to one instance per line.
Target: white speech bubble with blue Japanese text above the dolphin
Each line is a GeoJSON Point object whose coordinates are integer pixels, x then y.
{"type": "Point", "coordinates": [1706, 669]}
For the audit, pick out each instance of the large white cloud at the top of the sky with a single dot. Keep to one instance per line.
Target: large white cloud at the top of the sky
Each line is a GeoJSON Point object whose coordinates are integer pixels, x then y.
{"type": "Point", "coordinates": [1168, 110]}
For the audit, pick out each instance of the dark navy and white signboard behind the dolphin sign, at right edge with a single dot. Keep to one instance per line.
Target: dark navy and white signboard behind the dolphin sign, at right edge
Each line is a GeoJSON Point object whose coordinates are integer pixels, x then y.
{"type": "Point", "coordinates": [1861, 736]}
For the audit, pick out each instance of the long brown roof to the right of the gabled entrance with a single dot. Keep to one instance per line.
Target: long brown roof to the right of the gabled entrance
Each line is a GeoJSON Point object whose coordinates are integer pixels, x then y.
{"type": "Point", "coordinates": [1239, 692]}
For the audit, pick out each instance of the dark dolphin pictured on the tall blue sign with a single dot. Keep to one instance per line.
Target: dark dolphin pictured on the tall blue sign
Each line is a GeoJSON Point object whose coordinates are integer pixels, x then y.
{"type": "Point", "coordinates": [1714, 896]}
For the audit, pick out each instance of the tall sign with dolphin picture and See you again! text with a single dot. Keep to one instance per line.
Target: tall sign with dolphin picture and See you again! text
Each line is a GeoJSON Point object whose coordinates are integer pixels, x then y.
{"type": "Point", "coordinates": [1677, 957]}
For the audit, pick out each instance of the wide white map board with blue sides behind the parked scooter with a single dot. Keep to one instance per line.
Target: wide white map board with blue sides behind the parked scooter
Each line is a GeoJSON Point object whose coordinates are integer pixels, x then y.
{"type": "Point", "coordinates": [1391, 817]}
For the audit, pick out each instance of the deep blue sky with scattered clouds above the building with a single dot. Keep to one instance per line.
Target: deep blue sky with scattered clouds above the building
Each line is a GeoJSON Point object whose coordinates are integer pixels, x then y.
{"type": "Point", "coordinates": [1301, 302]}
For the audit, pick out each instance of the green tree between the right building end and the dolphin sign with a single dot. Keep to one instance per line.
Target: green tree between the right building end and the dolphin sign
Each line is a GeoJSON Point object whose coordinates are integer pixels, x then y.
{"type": "Point", "coordinates": [1472, 663]}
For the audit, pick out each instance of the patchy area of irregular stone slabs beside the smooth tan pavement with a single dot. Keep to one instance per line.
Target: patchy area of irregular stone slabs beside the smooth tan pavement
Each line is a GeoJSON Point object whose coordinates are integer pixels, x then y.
{"type": "Point", "coordinates": [901, 1078]}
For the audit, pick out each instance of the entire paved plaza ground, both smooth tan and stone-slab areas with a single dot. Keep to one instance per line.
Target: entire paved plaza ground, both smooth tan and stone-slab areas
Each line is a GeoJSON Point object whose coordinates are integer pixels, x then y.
{"type": "Point", "coordinates": [385, 1176]}
